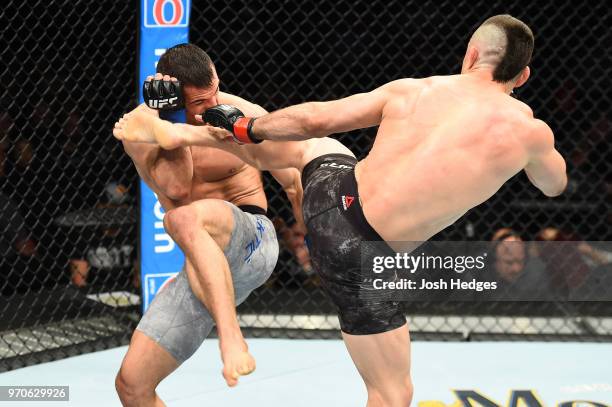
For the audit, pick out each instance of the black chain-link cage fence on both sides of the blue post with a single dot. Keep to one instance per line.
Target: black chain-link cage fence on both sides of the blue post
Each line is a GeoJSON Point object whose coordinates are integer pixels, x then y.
{"type": "Point", "coordinates": [68, 211]}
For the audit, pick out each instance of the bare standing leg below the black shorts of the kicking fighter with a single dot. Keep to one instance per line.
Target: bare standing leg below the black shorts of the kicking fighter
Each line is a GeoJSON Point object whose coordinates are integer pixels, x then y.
{"type": "Point", "coordinates": [383, 361]}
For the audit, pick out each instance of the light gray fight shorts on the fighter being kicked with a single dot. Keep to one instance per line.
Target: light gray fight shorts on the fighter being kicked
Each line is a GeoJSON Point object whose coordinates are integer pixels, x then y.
{"type": "Point", "coordinates": [178, 321]}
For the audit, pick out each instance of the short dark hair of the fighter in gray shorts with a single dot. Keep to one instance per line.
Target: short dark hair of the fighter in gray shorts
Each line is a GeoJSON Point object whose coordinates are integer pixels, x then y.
{"type": "Point", "coordinates": [189, 64]}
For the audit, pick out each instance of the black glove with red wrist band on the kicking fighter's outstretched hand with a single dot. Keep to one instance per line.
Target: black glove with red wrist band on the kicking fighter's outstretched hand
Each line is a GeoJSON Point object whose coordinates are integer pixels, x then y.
{"type": "Point", "coordinates": [232, 120]}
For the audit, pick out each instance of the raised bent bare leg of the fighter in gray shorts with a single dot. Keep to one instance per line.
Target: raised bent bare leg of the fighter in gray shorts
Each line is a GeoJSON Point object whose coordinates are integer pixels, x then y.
{"type": "Point", "coordinates": [202, 229]}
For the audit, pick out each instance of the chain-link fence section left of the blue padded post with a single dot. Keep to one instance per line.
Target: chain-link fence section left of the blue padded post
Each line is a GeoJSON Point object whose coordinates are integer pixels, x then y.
{"type": "Point", "coordinates": [67, 215]}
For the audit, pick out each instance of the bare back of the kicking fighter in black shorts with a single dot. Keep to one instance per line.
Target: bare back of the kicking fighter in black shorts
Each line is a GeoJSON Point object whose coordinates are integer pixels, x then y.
{"type": "Point", "coordinates": [446, 146]}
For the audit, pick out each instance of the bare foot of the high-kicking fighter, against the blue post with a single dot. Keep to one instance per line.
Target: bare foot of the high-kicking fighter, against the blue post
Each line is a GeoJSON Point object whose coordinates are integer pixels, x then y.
{"type": "Point", "coordinates": [140, 126]}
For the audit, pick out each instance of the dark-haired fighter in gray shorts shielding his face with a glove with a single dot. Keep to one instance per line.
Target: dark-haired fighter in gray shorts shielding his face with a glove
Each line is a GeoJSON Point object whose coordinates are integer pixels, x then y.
{"type": "Point", "coordinates": [216, 212]}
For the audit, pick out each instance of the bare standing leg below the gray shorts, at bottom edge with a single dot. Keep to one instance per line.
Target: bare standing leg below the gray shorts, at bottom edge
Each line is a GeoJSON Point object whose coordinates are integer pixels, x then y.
{"type": "Point", "coordinates": [144, 366]}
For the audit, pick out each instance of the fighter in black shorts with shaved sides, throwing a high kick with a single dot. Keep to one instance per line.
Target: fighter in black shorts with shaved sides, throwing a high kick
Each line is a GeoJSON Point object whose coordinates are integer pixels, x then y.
{"type": "Point", "coordinates": [444, 145]}
